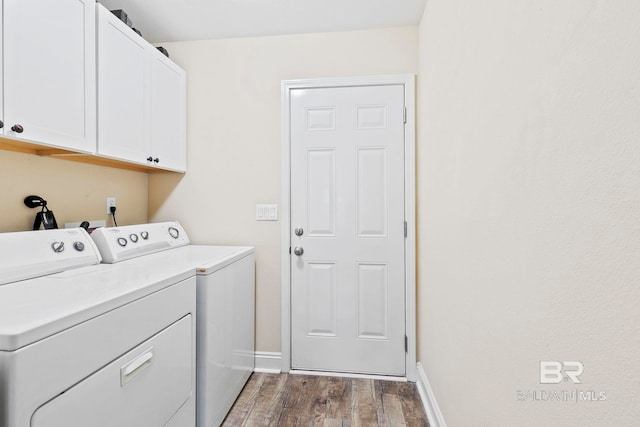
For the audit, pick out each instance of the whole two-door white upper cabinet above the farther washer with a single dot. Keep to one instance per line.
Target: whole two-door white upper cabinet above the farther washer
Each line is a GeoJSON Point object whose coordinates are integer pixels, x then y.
{"type": "Point", "coordinates": [141, 99]}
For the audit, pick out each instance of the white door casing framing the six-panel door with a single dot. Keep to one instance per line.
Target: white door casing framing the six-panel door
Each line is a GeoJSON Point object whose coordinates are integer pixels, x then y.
{"type": "Point", "coordinates": [408, 81]}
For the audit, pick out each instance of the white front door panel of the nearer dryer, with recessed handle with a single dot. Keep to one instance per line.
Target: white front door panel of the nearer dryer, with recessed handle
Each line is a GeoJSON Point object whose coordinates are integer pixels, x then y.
{"type": "Point", "coordinates": [144, 387]}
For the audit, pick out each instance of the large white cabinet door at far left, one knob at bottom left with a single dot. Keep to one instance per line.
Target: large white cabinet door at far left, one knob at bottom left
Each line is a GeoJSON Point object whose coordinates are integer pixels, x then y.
{"type": "Point", "coordinates": [49, 72]}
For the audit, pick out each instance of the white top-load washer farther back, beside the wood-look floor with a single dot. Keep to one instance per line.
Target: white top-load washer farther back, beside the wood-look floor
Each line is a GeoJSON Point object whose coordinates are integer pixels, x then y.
{"type": "Point", "coordinates": [225, 278]}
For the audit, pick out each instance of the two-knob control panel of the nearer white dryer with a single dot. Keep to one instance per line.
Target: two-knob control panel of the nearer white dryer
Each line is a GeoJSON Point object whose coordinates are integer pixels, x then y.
{"type": "Point", "coordinates": [29, 254]}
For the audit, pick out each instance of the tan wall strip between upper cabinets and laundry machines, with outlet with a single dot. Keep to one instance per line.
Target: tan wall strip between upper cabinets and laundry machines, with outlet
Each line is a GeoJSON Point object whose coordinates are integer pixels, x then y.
{"type": "Point", "coordinates": [74, 191]}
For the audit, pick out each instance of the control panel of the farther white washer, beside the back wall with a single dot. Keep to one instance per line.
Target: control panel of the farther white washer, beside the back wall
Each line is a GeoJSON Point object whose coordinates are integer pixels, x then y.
{"type": "Point", "coordinates": [131, 241]}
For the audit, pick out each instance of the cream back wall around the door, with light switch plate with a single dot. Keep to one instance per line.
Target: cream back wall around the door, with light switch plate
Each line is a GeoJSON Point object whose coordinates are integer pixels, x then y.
{"type": "Point", "coordinates": [234, 137]}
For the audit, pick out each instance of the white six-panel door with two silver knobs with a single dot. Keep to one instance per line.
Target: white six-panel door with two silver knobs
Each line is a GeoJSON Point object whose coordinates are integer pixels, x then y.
{"type": "Point", "coordinates": [347, 206]}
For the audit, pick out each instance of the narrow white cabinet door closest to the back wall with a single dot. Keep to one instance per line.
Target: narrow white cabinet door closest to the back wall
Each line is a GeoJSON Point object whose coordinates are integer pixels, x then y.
{"type": "Point", "coordinates": [168, 112]}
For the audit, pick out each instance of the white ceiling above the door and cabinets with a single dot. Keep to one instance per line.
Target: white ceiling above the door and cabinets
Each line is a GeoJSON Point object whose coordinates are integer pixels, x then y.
{"type": "Point", "coordinates": [174, 20]}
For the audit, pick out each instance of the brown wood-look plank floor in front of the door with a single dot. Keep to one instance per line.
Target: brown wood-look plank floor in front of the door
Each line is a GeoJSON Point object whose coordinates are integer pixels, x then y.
{"type": "Point", "coordinates": [303, 400]}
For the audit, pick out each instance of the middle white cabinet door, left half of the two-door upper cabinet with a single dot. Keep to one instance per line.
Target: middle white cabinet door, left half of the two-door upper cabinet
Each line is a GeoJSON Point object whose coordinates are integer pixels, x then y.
{"type": "Point", "coordinates": [122, 88]}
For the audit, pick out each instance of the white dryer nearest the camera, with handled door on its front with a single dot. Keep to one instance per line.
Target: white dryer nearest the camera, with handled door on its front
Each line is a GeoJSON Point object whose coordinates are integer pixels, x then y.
{"type": "Point", "coordinates": [92, 345]}
